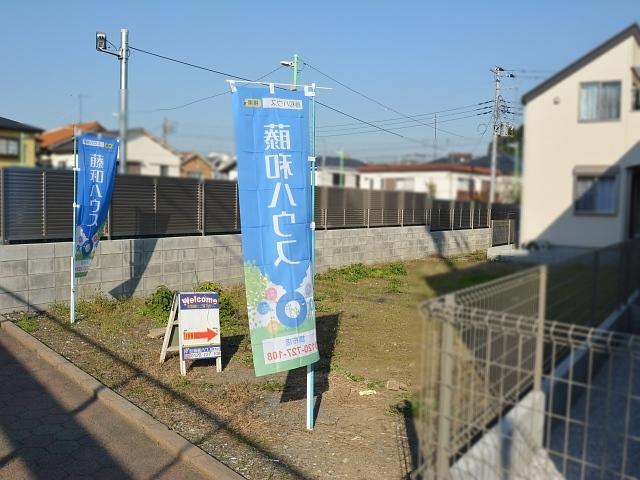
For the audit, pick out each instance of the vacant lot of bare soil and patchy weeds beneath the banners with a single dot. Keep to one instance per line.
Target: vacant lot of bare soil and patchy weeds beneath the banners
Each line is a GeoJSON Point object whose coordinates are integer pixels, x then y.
{"type": "Point", "coordinates": [369, 332]}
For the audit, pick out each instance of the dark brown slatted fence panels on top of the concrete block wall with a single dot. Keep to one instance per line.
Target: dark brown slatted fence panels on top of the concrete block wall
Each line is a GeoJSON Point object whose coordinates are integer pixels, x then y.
{"type": "Point", "coordinates": [35, 205]}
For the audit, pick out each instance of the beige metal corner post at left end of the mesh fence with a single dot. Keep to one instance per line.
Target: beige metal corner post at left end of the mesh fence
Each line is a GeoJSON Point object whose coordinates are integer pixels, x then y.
{"type": "Point", "coordinates": [445, 387]}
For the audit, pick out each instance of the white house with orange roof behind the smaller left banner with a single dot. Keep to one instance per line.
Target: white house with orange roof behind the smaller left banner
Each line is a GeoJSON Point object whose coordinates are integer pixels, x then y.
{"type": "Point", "coordinates": [146, 155]}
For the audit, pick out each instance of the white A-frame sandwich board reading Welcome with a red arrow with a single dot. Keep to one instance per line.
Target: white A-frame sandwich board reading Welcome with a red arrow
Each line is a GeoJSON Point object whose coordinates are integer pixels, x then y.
{"type": "Point", "coordinates": [193, 329]}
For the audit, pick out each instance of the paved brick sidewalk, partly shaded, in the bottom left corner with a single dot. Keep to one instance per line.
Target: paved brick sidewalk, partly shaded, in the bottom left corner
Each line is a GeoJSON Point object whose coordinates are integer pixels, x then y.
{"type": "Point", "coordinates": [52, 429]}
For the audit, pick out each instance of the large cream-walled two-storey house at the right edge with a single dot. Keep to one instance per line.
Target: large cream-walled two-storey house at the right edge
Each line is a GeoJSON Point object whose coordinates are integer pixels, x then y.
{"type": "Point", "coordinates": [581, 178]}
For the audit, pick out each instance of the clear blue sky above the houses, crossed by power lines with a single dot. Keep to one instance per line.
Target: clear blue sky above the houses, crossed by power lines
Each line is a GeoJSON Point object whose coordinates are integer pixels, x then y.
{"type": "Point", "coordinates": [415, 56]}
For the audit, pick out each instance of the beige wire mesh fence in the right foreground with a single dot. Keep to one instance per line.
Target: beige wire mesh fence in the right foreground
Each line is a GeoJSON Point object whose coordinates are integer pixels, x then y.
{"type": "Point", "coordinates": [517, 384]}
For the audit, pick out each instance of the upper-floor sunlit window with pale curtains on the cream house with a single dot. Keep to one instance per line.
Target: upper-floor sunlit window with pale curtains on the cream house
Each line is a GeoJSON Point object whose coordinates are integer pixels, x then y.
{"type": "Point", "coordinates": [599, 101]}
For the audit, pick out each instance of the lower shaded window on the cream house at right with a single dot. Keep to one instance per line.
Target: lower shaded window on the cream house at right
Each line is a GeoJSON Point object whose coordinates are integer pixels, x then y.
{"type": "Point", "coordinates": [595, 194]}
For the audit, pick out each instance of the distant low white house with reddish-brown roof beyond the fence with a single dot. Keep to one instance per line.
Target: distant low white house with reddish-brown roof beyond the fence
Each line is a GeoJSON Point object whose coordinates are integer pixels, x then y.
{"type": "Point", "coordinates": [445, 181]}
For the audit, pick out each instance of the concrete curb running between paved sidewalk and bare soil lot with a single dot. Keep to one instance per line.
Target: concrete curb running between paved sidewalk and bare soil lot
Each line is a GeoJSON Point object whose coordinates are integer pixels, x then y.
{"type": "Point", "coordinates": [160, 433]}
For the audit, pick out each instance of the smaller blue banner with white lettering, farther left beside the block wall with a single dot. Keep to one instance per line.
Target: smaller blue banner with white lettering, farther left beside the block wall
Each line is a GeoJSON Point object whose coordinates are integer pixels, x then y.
{"type": "Point", "coordinates": [97, 156]}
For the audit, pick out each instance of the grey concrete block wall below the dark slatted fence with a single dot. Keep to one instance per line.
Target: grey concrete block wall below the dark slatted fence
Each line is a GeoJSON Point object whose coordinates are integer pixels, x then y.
{"type": "Point", "coordinates": [37, 275]}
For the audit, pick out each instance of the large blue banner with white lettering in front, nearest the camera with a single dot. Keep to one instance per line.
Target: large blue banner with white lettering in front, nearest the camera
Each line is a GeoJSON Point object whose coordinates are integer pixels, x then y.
{"type": "Point", "coordinates": [274, 182]}
